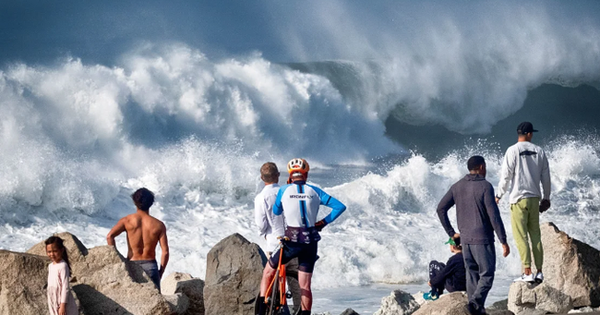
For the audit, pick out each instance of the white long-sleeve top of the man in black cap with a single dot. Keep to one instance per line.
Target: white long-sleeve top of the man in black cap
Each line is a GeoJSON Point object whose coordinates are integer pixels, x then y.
{"type": "Point", "coordinates": [525, 165]}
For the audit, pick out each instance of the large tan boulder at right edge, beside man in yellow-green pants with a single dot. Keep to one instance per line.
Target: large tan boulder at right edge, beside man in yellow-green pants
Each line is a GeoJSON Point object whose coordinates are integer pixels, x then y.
{"type": "Point", "coordinates": [571, 267]}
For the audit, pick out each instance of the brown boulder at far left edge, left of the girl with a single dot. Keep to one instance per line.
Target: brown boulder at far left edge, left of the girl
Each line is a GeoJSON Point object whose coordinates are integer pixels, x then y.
{"type": "Point", "coordinates": [22, 284]}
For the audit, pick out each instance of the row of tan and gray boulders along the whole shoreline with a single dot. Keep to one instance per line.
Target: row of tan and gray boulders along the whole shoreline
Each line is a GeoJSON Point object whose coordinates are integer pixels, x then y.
{"type": "Point", "coordinates": [104, 282]}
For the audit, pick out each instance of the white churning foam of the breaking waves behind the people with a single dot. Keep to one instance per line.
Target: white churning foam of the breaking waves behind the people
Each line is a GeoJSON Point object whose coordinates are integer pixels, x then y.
{"type": "Point", "coordinates": [77, 139]}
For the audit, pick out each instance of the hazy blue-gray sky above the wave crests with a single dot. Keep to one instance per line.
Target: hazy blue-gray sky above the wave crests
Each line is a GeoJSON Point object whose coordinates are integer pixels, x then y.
{"type": "Point", "coordinates": [282, 31]}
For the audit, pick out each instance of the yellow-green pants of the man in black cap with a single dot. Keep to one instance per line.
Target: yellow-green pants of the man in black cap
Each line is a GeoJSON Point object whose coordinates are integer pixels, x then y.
{"type": "Point", "coordinates": [525, 219]}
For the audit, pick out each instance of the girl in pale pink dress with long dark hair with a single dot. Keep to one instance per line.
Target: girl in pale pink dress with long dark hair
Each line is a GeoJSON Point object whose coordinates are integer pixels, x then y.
{"type": "Point", "coordinates": [60, 299]}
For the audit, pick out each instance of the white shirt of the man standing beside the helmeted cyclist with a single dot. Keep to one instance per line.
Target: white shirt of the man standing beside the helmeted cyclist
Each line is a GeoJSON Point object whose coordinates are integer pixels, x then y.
{"type": "Point", "coordinates": [269, 225]}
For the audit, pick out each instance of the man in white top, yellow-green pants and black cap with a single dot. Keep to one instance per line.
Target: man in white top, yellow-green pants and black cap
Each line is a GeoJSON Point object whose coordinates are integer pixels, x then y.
{"type": "Point", "coordinates": [526, 166]}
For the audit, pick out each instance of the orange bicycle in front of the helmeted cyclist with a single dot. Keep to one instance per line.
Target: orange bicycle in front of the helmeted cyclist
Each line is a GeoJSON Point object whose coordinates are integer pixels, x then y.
{"type": "Point", "coordinates": [276, 295]}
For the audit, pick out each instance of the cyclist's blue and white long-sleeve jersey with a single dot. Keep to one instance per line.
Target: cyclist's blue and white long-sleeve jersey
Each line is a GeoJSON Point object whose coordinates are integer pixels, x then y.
{"type": "Point", "coordinates": [301, 202]}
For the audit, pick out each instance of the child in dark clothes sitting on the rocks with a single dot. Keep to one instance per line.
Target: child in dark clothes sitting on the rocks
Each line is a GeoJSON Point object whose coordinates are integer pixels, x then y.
{"type": "Point", "coordinates": [452, 276]}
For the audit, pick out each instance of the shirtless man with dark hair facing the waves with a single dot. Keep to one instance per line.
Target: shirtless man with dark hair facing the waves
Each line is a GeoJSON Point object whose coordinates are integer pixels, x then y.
{"type": "Point", "coordinates": [143, 233]}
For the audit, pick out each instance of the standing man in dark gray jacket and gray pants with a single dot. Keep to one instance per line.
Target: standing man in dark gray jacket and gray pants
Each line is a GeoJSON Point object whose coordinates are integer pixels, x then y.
{"type": "Point", "coordinates": [478, 217]}
